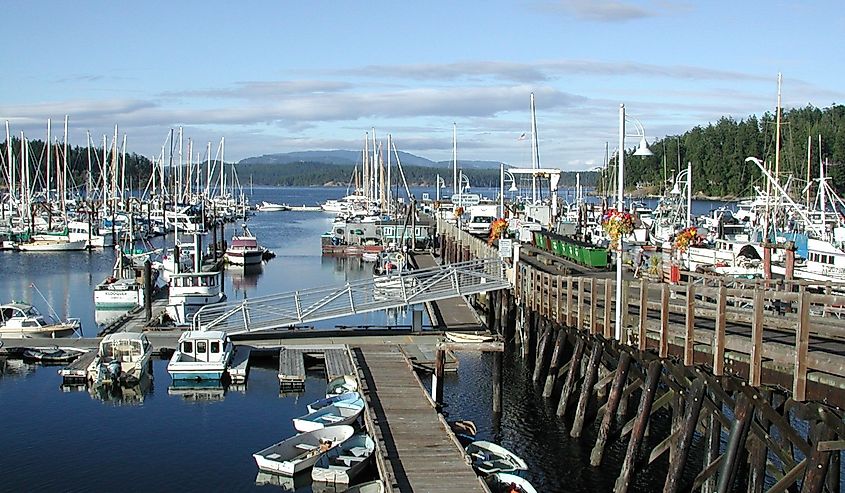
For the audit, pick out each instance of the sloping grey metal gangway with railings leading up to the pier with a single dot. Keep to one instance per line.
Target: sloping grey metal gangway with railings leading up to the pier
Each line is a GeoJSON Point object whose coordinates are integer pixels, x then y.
{"type": "Point", "coordinates": [368, 295]}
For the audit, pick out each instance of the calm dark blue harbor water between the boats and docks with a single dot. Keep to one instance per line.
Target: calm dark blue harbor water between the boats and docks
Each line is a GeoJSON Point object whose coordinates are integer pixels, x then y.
{"type": "Point", "coordinates": [155, 438]}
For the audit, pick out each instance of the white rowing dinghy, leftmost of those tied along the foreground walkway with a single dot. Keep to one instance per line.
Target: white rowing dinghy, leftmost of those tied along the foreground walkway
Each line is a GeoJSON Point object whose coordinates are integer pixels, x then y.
{"type": "Point", "coordinates": [300, 452]}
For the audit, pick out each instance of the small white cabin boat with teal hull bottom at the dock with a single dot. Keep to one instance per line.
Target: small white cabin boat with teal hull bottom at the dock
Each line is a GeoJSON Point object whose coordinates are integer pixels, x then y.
{"type": "Point", "coordinates": [201, 355]}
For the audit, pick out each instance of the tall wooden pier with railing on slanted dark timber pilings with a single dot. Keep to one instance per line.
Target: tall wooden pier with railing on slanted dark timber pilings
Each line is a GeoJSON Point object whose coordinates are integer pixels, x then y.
{"type": "Point", "coordinates": [749, 366]}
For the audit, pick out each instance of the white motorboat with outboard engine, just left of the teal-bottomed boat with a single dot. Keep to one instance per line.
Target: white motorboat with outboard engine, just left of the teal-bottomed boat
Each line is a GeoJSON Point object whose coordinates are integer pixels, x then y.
{"type": "Point", "coordinates": [122, 357]}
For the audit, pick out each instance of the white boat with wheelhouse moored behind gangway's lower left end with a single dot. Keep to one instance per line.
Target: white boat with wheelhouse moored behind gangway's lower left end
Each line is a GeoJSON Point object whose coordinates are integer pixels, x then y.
{"type": "Point", "coordinates": [189, 292]}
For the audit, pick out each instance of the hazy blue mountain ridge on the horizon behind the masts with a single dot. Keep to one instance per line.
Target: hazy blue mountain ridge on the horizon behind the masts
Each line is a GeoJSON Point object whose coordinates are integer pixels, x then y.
{"type": "Point", "coordinates": [342, 157]}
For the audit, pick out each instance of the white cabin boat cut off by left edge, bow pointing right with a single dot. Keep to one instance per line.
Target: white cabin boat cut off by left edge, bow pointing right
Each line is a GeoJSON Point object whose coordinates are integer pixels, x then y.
{"type": "Point", "coordinates": [19, 320]}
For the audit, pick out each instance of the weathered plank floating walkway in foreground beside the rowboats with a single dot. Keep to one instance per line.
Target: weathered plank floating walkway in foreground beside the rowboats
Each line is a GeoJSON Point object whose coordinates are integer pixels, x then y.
{"type": "Point", "coordinates": [418, 452]}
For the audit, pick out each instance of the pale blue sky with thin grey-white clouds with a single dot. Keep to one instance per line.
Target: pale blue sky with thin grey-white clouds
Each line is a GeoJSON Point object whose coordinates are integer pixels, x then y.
{"type": "Point", "coordinates": [282, 76]}
